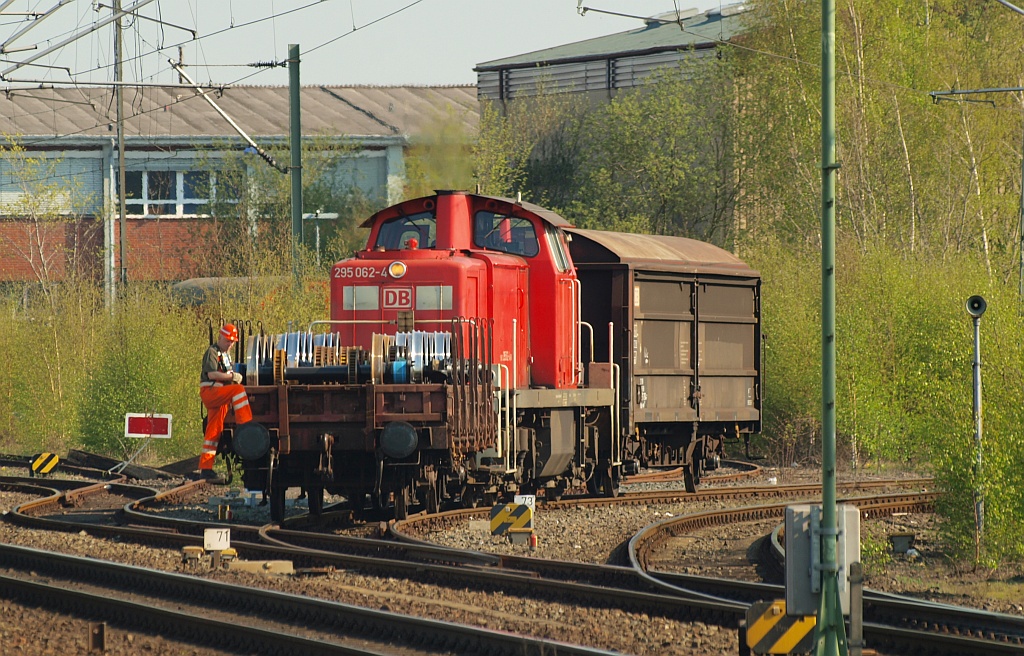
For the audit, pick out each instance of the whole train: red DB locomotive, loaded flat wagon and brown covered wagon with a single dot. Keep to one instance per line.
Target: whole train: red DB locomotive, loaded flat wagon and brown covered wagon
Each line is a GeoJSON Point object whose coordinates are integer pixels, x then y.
{"type": "Point", "coordinates": [481, 347]}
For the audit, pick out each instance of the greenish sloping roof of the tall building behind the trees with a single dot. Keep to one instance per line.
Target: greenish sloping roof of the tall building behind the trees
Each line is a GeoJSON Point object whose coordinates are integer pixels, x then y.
{"type": "Point", "coordinates": [702, 30]}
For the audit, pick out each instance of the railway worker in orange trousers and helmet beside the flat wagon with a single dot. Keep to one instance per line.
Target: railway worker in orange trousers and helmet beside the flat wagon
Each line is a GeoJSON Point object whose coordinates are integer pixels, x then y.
{"type": "Point", "coordinates": [220, 388]}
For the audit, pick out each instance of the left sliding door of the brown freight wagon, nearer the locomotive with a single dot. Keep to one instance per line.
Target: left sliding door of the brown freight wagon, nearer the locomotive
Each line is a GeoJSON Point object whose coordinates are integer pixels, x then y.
{"type": "Point", "coordinates": [663, 338]}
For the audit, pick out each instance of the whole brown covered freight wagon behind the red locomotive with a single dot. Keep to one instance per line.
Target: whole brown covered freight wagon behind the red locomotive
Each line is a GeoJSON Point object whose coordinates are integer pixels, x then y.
{"type": "Point", "coordinates": [686, 321]}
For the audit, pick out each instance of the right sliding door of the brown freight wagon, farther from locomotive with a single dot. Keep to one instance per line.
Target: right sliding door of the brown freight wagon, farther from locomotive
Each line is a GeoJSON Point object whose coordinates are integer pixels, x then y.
{"type": "Point", "coordinates": [729, 335]}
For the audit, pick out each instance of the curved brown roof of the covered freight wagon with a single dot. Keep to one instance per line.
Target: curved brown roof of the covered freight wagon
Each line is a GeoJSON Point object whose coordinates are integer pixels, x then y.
{"type": "Point", "coordinates": [654, 252]}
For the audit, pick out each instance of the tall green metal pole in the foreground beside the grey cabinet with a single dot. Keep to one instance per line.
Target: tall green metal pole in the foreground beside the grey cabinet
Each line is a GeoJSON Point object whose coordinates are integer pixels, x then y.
{"type": "Point", "coordinates": [830, 631]}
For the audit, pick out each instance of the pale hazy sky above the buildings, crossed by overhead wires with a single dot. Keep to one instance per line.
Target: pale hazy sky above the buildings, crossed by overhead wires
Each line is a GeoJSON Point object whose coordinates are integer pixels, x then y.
{"type": "Point", "coordinates": [343, 42]}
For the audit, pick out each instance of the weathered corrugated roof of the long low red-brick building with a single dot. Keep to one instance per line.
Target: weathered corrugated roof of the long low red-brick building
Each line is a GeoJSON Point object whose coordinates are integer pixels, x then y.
{"type": "Point", "coordinates": [164, 112]}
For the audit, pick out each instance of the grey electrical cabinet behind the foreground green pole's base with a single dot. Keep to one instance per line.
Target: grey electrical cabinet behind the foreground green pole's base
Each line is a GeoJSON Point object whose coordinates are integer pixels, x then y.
{"type": "Point", "coordinates": [803, 556]}
